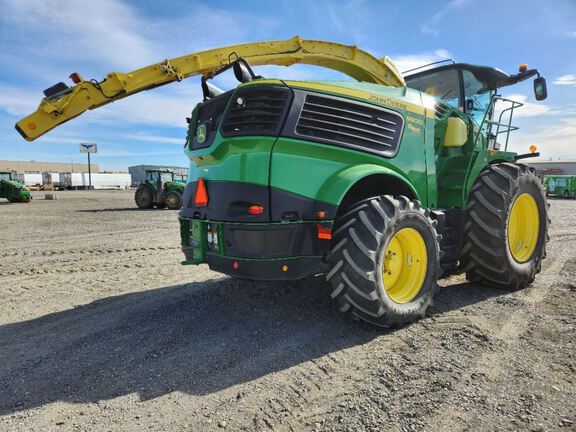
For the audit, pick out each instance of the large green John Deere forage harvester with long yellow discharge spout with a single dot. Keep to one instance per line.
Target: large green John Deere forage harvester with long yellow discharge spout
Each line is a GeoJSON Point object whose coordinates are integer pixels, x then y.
{"type": "Point", "coordinates": [383, 185]}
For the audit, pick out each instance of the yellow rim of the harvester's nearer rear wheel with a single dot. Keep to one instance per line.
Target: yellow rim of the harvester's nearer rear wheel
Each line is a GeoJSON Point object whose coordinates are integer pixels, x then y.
{"type": "Point", "coordinates": [404, 265]}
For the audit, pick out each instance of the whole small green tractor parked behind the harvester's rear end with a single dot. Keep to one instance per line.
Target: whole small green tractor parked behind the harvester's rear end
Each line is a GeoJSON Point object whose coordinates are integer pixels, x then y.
{"type": "Point", "coordinates": [162, 188]}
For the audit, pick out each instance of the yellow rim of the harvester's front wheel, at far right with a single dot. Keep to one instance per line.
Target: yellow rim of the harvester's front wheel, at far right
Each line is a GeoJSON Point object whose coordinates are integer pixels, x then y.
{"type": "Point", "coordinates": [523, 227]}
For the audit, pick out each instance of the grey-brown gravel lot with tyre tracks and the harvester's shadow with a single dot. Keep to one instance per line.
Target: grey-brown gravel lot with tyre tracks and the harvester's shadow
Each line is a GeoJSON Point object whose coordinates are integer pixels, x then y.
{"type": "Point", "coordinates": [102, 329]}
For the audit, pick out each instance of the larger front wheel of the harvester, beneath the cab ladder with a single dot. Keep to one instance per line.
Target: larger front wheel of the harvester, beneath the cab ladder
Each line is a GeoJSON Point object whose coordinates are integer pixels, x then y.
{"type": "Point", "coordinates": [506, 231]}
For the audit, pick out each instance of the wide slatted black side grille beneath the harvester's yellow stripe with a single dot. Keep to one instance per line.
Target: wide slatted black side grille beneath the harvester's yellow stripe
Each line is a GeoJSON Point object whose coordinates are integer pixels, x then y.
{"type": "Point", "coordinates": [350, 124]}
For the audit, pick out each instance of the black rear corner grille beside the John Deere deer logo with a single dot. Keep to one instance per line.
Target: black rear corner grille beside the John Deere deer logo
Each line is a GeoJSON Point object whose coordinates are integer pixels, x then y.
{"type": "Point", "coordinates": [256, 111]}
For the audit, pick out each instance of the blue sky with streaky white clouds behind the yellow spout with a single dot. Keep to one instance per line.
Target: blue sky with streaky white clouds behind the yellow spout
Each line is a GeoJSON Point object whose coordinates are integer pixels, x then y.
{"type": "Point", "coordinates": [43, 41]}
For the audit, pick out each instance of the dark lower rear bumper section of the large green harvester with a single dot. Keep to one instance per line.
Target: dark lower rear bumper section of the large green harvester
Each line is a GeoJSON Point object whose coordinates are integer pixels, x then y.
{"type": "Point", "coordinates": [260, 251]}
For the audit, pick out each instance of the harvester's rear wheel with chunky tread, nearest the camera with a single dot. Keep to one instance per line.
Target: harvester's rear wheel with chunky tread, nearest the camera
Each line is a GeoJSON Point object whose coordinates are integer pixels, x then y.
{"type": "Point", "coordinates": [385, 261]}
